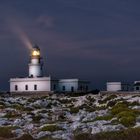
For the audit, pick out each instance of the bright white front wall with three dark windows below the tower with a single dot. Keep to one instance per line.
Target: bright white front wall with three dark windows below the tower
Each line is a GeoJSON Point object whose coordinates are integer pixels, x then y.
{"type": "Point", "coordinates": [42, 85]}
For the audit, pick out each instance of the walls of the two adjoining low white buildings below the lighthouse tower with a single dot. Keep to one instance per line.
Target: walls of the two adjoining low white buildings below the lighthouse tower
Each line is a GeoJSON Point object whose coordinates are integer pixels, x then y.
{"type": "Point", "coordinates": [46, 84]}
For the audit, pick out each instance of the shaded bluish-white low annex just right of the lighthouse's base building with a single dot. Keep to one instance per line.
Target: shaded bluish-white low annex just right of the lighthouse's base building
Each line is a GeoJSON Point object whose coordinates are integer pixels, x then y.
{"type": "Point", "coordinates": [73, 85]}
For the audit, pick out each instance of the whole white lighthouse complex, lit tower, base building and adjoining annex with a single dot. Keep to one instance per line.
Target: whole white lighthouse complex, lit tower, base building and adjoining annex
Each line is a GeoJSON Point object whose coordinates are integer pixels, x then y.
{"type": "Point", "coordinates": [36, 82]}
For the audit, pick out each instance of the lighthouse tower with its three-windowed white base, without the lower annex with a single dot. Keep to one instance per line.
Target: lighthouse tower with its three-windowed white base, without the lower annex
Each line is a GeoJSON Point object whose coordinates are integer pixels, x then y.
{"type": "Point", "coordinates": [35, 82]}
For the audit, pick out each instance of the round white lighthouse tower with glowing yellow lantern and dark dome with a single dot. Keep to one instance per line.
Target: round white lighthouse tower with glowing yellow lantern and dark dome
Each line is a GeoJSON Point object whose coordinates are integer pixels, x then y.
{"type": "Point", "coordinates": [35, 65]}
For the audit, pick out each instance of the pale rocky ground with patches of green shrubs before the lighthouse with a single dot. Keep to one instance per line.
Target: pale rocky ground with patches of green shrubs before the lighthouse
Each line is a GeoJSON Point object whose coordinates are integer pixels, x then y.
{"type": "Point", "coordinates": [65, 117]}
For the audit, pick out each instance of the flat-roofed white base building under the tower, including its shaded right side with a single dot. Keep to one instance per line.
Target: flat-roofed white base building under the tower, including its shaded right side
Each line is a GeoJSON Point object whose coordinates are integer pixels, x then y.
{"type": "Point", "coordinates": [39, 84]}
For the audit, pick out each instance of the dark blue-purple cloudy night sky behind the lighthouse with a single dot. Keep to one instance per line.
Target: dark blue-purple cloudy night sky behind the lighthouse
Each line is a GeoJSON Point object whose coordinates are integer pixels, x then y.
{"type": "Point", "coordinates": [97, 40]}
